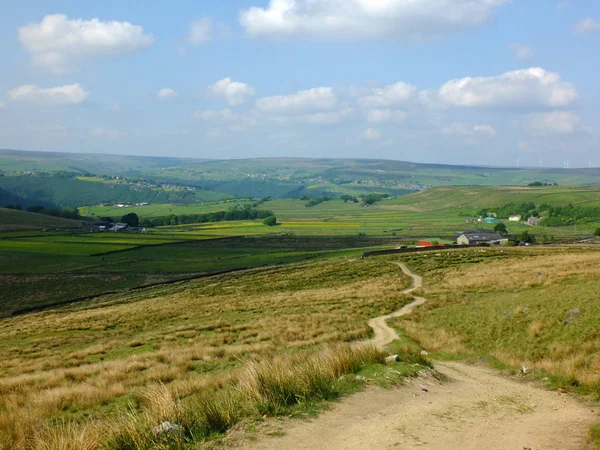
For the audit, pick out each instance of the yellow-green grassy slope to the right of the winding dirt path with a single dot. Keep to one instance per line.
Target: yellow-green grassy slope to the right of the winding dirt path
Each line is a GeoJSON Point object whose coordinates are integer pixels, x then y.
{"type": "Point", "coordinates": [517, 309]}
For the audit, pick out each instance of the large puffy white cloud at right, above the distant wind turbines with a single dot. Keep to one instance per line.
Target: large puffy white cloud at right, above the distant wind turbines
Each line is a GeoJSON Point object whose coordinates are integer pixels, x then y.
{"type": "Point", "coordinates": [527, 88]}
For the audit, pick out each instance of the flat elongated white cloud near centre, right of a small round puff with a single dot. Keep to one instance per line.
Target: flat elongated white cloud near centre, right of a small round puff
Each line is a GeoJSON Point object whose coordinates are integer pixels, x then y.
{"type": "Point", "coordinates": [317, 99]}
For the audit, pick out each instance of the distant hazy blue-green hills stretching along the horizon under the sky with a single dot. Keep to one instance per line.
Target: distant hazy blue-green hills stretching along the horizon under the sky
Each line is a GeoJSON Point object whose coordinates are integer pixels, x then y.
{"type": "Point", "coordinates": [290, 177]}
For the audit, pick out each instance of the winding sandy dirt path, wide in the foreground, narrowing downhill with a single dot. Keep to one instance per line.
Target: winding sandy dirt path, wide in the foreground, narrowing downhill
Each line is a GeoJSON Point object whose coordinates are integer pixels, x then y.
{"type": "Point", "coordinates": [478, 409]}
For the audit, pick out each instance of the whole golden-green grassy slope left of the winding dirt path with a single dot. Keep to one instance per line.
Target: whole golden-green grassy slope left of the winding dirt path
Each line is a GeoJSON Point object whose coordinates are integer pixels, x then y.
{"type": "Point", "coordinates": [104, 371]}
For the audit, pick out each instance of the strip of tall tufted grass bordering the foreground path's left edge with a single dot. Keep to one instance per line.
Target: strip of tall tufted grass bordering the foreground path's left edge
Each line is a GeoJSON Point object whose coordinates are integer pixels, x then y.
{"type": "Point", "coordinates": [266, 386]}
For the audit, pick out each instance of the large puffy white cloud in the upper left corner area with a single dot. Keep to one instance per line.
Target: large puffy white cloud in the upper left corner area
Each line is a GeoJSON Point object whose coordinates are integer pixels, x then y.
{"type": "Point", "coordinates": [60, 45]}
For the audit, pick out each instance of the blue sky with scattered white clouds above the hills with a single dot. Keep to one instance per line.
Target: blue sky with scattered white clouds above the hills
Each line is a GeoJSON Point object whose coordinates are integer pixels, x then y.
{"type": "Point", "coordinates": [473, 82]}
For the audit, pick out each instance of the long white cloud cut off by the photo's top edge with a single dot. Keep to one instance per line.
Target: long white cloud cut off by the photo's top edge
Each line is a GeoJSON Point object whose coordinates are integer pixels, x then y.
{"type": "Point", "coordinates": [366, 19]}
